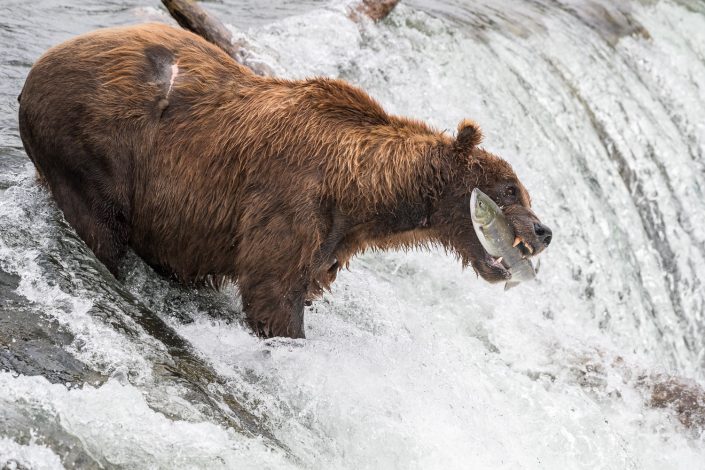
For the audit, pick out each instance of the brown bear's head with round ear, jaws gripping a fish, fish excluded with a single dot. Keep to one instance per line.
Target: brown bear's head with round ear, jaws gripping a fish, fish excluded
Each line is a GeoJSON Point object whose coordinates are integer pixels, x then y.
{"type": "Point", "coordinates": [476, 167]}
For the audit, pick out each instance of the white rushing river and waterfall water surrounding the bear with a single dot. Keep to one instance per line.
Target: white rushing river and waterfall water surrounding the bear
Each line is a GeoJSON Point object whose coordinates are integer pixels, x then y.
{"type": "Point", "coordinates": [410, 362]}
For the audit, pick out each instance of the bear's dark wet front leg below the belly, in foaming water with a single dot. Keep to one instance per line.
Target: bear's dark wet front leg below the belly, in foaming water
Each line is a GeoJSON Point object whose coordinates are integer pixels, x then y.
{"type": "Point", "coordinates": [274, 307]}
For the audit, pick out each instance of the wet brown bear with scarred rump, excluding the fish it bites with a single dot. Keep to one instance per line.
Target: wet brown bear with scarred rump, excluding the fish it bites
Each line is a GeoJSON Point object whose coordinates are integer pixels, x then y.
{"type": "Point", "coordinates": [150, 137]}
